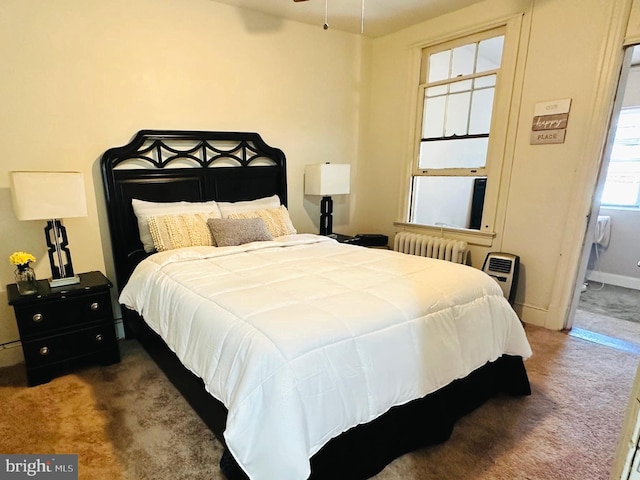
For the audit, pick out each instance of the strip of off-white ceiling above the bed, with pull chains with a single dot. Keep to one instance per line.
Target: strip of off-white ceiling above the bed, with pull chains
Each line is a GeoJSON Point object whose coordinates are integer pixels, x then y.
{"type": "Point", "coordinates": [381, 17]}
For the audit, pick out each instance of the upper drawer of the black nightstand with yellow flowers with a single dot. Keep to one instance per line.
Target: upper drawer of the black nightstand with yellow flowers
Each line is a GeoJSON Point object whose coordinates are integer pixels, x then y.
{"type": "Point", "coordinates": [49, 316]}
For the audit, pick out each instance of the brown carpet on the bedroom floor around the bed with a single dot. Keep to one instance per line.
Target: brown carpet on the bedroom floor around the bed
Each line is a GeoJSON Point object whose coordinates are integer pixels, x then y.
{"type": "Point", "coordinates": [127, 422]}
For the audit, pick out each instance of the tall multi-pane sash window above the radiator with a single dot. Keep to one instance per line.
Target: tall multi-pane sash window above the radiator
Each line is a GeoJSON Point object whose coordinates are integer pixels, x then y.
{"type": "Point", "coordinates": [450, 176]}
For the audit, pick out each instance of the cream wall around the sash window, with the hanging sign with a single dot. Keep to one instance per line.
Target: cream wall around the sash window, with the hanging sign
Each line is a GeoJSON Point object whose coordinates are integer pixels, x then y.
{"type": "Point", "coordinates": [571, 51]}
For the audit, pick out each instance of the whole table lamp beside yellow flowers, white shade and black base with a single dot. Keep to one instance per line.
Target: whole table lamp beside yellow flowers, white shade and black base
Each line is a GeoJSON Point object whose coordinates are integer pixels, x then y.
{"type": "Point", "coordinates": [51, 196]}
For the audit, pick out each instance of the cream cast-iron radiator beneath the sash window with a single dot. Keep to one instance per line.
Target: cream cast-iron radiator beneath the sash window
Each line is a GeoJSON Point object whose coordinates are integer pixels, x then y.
{"type": "Point", "coordinates": [433, 247]}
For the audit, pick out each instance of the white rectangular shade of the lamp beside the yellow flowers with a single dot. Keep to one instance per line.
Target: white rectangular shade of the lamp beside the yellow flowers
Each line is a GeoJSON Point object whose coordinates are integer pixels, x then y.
{"type": "Point", "coordinates": [48, 195]}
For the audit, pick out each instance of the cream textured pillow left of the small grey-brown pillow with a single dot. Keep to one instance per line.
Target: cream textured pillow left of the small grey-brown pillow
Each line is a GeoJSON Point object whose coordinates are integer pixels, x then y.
{"type": "Point", "coordinates": [182, 230]}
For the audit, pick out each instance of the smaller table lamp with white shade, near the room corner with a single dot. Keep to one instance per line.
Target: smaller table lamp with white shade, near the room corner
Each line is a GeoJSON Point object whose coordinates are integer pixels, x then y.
{"type": "Point", "coordinates": [327, 179]}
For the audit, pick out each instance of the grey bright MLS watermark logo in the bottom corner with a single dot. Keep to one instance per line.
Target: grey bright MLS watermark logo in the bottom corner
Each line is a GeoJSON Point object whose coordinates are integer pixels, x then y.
{"type": "Point", "coordinates": [51, 467]}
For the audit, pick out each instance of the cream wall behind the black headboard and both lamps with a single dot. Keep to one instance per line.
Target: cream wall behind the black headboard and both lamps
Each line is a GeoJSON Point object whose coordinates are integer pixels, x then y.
{"type": "Point", "coordinates": [78, 77]}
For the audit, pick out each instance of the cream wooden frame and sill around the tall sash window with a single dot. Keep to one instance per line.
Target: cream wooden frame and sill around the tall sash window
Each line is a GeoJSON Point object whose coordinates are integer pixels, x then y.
{"type": "Point", "coordinates": [502, 131]}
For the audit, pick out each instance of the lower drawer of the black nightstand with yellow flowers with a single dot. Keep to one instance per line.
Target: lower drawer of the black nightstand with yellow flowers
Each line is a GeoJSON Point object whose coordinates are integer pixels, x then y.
{"type": "Point", "coordinates": [48, 350]}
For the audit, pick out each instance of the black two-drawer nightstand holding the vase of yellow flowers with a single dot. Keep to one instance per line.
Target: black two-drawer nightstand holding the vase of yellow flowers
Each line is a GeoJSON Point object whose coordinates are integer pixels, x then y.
{"type": "Point", "coordinates": [66, 326]}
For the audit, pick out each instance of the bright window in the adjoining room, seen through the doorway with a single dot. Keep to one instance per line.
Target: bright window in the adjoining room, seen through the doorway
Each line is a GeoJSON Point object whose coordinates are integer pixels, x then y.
{"type": "Point", "coordinates": [622, 185]}
